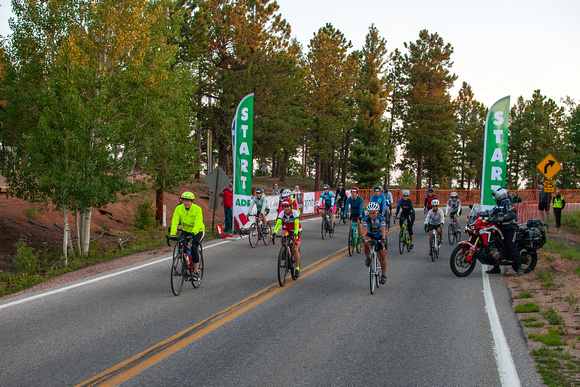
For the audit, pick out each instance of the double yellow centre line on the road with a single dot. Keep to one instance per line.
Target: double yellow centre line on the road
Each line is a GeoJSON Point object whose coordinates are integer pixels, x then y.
{"type": "Point", "coordinates": [133, 366]}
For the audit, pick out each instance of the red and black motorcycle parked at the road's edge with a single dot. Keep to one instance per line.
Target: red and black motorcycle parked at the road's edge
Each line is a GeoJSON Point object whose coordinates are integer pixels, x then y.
{"type": "Point", "coordinates": [485, 244]}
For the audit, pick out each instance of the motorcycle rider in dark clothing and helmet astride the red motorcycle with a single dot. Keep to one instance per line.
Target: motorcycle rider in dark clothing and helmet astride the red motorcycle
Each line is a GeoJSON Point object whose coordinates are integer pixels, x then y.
{"type": "Point", "coordinates": [504, 215]}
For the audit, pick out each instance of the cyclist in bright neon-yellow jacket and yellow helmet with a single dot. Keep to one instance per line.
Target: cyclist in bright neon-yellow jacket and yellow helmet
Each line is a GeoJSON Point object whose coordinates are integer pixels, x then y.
{"type": "Point", "coordinates": [191, 218]}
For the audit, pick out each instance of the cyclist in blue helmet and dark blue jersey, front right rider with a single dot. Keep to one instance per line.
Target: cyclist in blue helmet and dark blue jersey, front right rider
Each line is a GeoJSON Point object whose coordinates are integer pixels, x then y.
{"type": "Point", "coordinates": [375, 228]}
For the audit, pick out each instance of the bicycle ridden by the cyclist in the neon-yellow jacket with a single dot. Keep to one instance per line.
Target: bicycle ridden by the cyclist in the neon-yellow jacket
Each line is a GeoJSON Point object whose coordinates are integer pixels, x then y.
{"type": "Point", "coordinates": [179, 270]}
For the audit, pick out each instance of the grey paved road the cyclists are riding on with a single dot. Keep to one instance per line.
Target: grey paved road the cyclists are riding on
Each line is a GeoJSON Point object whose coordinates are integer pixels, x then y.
{"type": "Point", "coordinates": [424, 327]}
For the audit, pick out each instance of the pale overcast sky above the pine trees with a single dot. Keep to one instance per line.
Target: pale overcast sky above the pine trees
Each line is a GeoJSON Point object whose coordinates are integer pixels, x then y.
{"type": "Point", "coordinates": [501, 48]}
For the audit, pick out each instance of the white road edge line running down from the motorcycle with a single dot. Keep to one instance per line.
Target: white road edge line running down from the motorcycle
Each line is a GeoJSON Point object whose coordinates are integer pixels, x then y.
{"type": "Point", "coordinates": [503, 357]}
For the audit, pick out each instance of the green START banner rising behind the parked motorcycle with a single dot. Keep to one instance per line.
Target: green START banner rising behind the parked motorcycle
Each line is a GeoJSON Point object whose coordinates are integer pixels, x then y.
{"type": "Point", "coordinates": [495, 151]}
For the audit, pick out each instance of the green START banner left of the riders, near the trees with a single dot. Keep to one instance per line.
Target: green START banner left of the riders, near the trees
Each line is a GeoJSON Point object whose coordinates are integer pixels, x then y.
{"type": "Point", "coordinates": [242, 140]}
